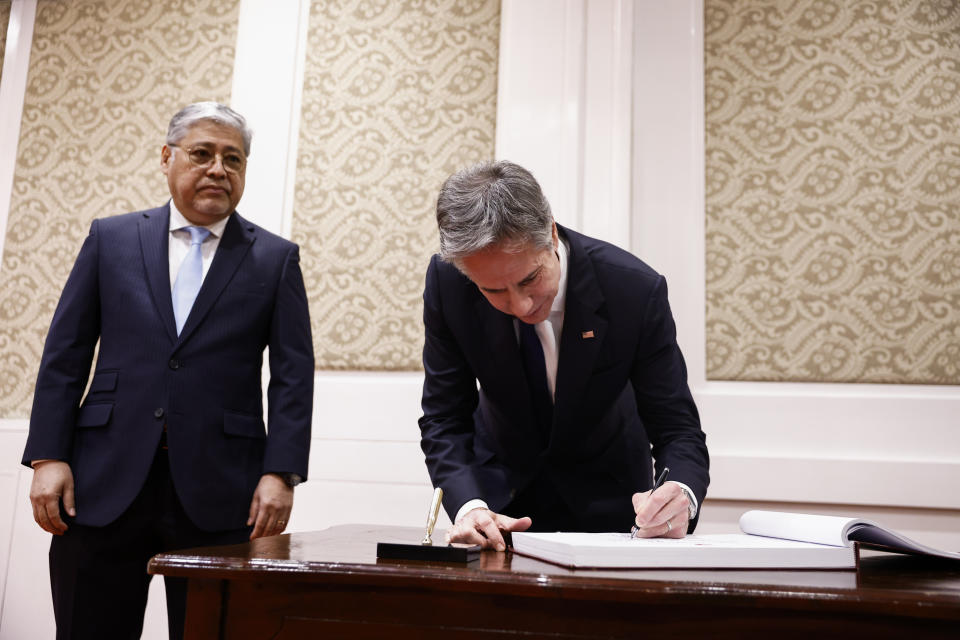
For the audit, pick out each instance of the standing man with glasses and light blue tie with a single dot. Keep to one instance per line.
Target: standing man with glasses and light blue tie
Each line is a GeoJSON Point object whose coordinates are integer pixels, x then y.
{"type": "Point", "coordinates": [168, 448]}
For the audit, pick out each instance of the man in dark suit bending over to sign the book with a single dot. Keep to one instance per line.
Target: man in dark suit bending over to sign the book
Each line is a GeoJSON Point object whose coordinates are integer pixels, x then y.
{"type": "Point", "coordinates": [552, 371]}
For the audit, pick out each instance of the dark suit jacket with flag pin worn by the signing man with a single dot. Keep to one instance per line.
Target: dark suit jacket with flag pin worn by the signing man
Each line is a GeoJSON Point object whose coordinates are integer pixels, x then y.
{"type": "Point", "coordinates": [621, 388]}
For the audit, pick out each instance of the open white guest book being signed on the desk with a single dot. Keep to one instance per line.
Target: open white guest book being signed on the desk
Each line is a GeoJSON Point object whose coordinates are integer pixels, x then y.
{"type": "Point", "coordinates": [770, 540]}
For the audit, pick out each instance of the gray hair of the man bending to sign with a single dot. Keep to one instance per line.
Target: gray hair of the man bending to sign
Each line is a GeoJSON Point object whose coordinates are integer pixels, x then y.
{"type": "Point", "coordinates": [492, 204]}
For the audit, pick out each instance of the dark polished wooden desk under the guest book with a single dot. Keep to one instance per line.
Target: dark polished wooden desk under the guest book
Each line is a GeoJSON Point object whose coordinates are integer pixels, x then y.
{"type": "Point", "coordinates": [330, 584]}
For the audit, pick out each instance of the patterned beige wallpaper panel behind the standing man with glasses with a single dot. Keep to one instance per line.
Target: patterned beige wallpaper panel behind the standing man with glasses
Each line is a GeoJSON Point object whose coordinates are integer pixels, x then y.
{"type": "Point", "coordinates": [104, 79]}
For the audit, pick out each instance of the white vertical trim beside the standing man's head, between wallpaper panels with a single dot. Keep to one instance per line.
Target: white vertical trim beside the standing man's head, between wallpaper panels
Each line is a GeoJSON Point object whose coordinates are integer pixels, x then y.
{"type": "Point", "coordinates": [267, 79]}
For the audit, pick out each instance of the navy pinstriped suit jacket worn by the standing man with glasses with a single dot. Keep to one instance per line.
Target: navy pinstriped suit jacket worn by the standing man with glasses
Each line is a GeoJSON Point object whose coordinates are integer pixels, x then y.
{"type": "Point", "coordinates": [203, 385]}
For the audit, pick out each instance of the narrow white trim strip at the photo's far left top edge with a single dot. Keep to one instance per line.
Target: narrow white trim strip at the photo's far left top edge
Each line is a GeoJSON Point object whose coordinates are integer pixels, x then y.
{"type": "Point", "coordinates": [13, 86]}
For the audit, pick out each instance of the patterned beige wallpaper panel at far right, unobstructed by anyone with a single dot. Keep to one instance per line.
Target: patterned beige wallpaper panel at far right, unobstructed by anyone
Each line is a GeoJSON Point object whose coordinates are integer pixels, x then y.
{"type": "Point", "coordinates": [833, 190]}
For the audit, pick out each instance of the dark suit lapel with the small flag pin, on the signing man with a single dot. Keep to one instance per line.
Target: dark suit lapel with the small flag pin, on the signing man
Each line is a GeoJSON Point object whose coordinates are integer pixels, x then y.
{"type": "Point", "coordinates": [584, 330]}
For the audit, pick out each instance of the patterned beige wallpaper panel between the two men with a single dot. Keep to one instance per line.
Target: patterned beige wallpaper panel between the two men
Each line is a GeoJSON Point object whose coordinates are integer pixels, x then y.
{"type": "Point", "coordinates": [397, 96]}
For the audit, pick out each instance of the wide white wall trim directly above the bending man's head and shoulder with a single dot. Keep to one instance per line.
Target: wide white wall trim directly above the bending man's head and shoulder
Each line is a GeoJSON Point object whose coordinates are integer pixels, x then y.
{"type": "Point", "coordinates": [564, 106]}
